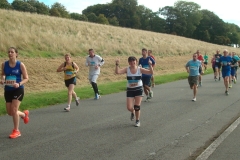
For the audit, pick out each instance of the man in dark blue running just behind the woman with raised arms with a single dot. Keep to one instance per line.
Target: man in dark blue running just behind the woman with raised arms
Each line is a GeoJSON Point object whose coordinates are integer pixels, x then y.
{"type": "Point", "coordinates": [146, 78]}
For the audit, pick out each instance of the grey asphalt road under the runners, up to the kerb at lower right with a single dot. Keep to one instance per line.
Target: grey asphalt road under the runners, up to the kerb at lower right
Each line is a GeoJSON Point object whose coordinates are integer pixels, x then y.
{"type": "Point", "coordinates": [172, 126]}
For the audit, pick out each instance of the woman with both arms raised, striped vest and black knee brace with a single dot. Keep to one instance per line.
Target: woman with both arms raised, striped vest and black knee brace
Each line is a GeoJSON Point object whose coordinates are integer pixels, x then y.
{"type": "Point", "coordinates": [134, 86]}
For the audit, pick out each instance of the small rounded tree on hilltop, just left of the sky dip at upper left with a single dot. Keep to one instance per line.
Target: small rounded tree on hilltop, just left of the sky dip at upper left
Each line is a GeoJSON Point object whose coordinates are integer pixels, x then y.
{"type": "Point", "coordinates": [60, 9]}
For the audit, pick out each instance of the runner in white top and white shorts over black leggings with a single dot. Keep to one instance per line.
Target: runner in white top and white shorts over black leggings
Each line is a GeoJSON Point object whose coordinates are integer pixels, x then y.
{"type": "Point", "coordinates": [94, 62]}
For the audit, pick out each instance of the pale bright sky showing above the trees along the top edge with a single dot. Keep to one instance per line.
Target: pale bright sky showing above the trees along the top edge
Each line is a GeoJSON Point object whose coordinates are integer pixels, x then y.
{"type": "Point", "coordinates": [227, 10]}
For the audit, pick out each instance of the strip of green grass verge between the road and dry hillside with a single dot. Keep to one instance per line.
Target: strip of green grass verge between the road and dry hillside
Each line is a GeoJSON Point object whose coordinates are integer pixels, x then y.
{"type": "Point", "coordinates": [40, 100]}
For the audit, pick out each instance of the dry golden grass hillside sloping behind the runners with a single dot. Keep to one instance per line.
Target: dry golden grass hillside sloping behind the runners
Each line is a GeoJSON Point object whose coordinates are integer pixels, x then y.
{"type": "Point", "coordinates": [43, 40]}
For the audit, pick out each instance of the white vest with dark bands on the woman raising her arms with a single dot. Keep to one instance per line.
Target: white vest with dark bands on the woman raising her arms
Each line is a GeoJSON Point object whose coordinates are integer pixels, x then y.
{"type": "Point", "coordinates": [134, 80]}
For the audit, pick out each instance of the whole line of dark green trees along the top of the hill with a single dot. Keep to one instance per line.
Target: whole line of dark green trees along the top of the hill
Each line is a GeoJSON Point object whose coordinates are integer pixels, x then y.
{"type": "Point", "coordinates": [183, 18]}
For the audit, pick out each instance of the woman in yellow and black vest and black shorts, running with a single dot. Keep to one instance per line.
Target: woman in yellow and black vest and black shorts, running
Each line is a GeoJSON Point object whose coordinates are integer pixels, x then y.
{"type": "Point", "coordinates": [70, 70]}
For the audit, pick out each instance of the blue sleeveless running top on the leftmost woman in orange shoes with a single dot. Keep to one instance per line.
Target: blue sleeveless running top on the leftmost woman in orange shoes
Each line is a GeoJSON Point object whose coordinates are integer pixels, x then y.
{"type": "Point", "coordinates": [13, 75]}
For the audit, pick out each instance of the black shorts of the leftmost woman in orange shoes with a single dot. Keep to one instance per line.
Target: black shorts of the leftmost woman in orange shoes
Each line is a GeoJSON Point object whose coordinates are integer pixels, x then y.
{"type": "Point", "coordinates": [14, 94]}
